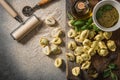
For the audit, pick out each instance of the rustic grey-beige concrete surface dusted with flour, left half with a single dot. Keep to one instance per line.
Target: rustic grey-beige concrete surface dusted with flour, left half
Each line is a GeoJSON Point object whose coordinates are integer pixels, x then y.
{"type": "Point", "coordinates": [25, 61]}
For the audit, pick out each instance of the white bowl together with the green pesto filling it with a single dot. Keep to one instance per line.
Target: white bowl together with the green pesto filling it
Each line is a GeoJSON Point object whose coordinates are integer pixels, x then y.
{"type": "Point", "coordinates": [106, 15]}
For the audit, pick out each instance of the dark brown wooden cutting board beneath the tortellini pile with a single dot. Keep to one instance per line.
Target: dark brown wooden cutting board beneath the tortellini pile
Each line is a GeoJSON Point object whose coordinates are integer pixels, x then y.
{"type": "Point", "coordinates": [98, 62]}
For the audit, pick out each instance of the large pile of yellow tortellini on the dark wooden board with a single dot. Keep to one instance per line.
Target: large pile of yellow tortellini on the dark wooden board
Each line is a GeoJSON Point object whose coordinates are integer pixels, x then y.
{"type": "Point", "coordinates": [86, 43]}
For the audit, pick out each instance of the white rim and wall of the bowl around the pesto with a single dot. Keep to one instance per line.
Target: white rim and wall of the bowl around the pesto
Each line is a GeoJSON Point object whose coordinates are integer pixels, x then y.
{"type": "Point", "coordinates": [115, 4]}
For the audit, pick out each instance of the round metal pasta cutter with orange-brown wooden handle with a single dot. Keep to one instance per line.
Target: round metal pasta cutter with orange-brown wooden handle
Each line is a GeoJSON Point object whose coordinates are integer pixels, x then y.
{"type": "Point", "coordinates": [28, 11]}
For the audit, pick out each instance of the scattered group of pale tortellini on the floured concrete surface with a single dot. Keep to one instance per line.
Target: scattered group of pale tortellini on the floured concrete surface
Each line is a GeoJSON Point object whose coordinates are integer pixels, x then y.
{"type": "Point", "coordinates": [52, 47]}
